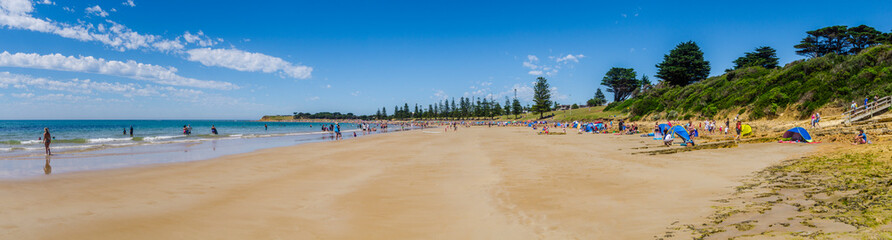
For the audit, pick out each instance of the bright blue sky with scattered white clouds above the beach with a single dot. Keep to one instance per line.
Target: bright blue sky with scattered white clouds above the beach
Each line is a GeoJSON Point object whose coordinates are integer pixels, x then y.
{"type": "Point", "coordinates": [142, 59]}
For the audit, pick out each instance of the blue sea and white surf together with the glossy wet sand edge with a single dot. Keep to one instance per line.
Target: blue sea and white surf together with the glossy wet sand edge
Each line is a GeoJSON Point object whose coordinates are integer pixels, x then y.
{"type": "Point", "coordinates": [87, 145]}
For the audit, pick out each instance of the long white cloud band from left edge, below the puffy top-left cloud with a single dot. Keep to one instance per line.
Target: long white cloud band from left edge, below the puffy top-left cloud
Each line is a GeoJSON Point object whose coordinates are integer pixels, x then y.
{"type": "Point", "coordinates": [89, 64]}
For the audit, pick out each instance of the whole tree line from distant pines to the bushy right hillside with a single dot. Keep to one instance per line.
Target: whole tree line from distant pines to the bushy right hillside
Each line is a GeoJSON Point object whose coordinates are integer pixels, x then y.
{"type": "Point", "coordinates": [755, 84]}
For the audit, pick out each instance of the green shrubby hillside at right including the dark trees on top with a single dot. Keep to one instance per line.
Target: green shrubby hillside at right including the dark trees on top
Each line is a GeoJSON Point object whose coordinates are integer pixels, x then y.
{"type": "Point", "coordinates": [845, 64]}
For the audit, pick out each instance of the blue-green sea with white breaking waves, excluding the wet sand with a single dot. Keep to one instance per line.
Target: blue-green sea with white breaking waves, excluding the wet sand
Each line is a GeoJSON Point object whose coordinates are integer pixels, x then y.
{"type": "Point", "coordinates": [23, 136]}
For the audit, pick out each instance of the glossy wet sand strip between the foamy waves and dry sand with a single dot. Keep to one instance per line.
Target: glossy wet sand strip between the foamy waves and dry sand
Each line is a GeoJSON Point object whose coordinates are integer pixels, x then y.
{"type": "Point", "coordinates": [30, 166]}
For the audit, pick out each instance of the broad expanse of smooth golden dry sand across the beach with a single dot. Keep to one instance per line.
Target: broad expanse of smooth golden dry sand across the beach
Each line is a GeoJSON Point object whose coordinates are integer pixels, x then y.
{"type": "Point", "coordinates": [478, 183]}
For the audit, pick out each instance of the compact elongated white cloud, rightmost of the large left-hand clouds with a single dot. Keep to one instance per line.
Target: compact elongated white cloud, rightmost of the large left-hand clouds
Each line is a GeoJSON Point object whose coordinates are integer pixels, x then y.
{"type": "Point", "coordinates": [247, 61]}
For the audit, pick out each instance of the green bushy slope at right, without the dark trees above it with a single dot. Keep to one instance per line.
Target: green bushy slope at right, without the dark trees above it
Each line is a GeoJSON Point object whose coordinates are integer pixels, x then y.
{"type": "Point", "coordinates": [800, 88]}
